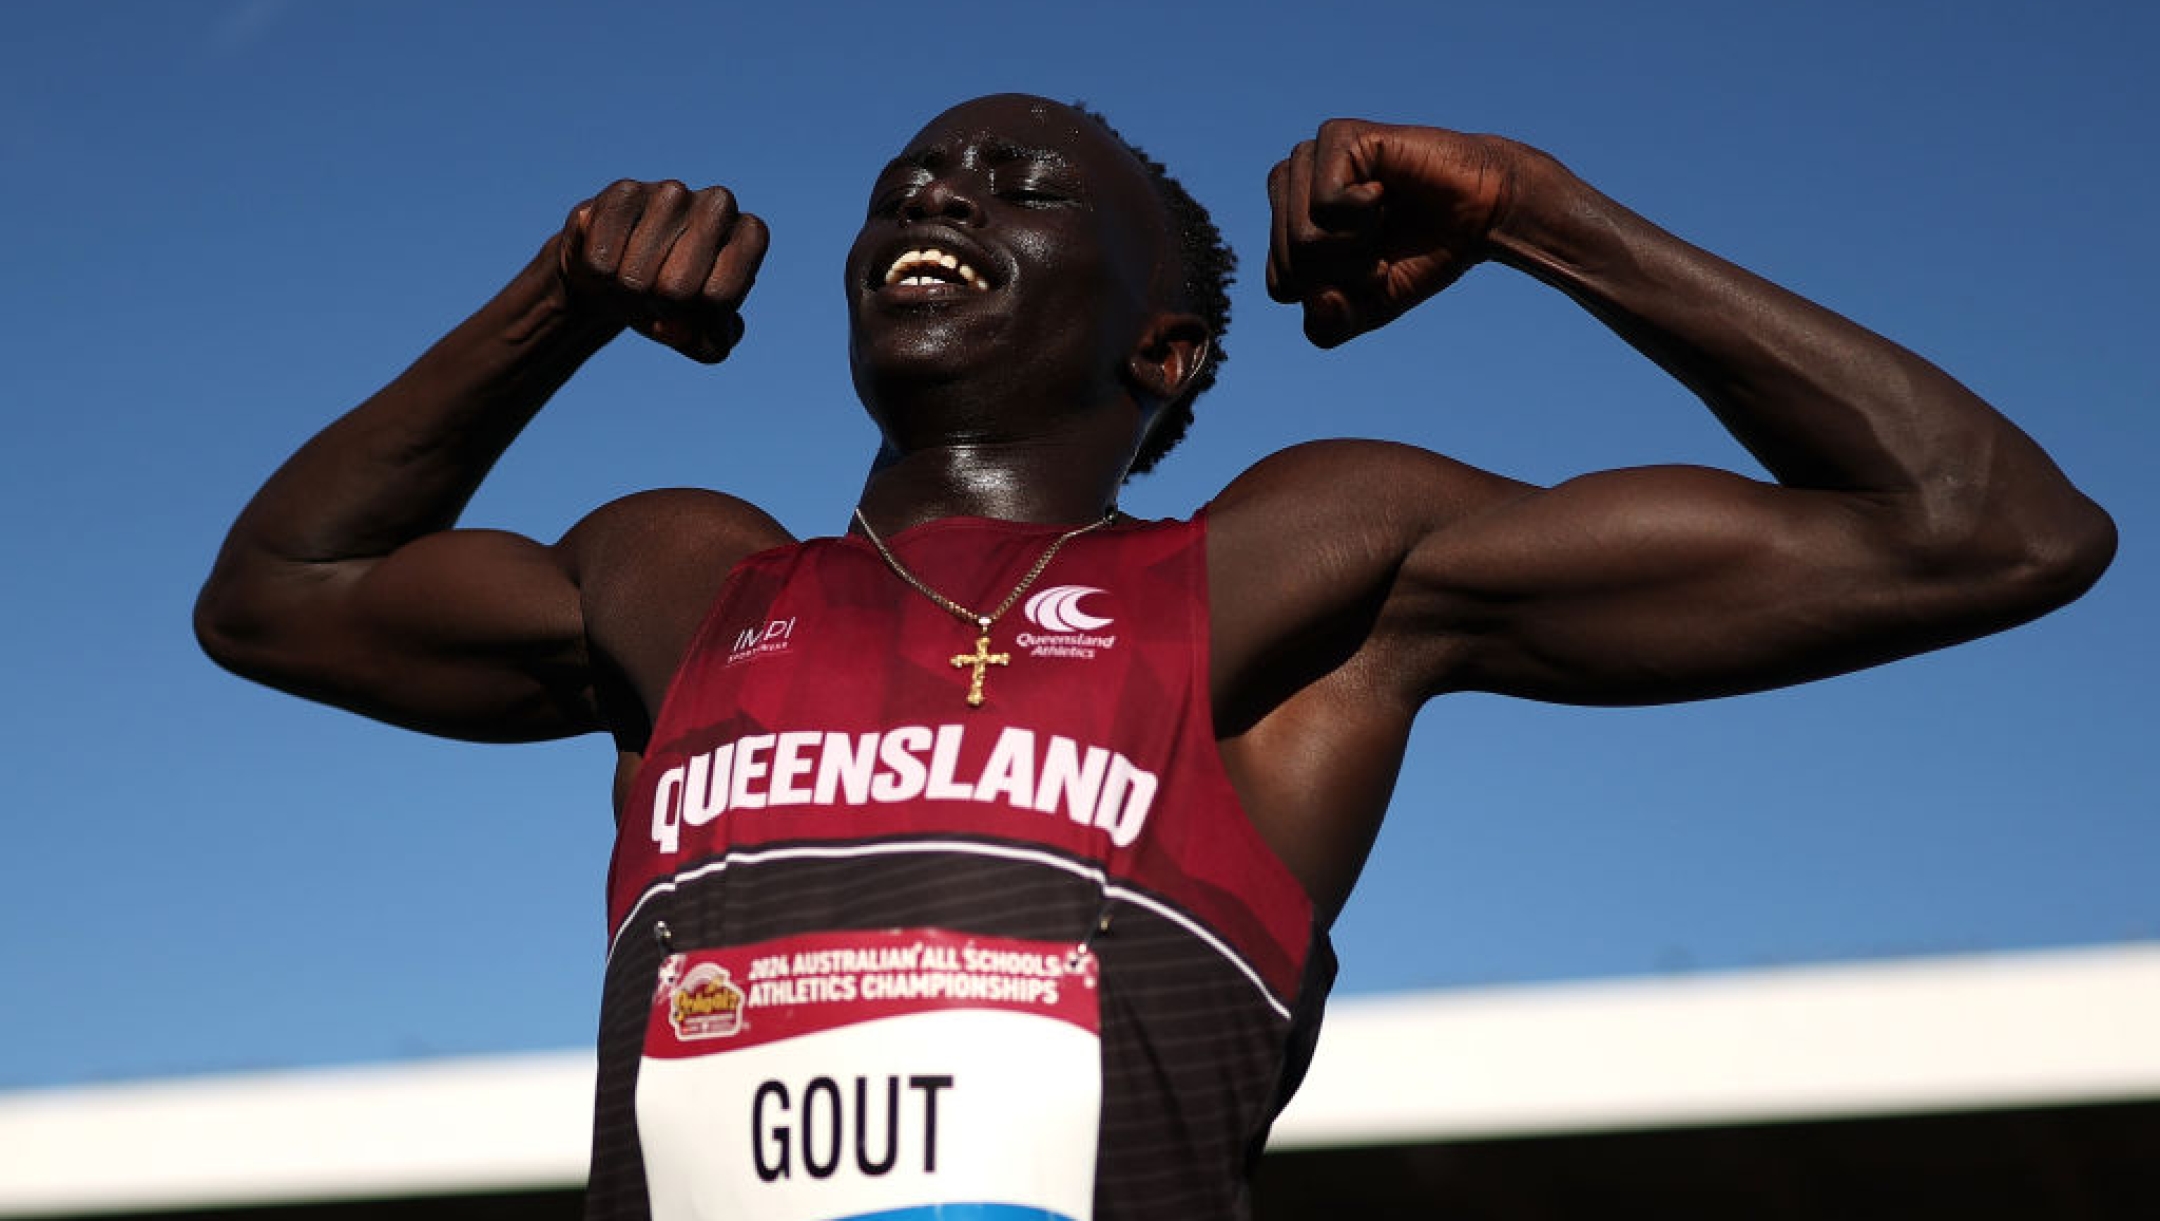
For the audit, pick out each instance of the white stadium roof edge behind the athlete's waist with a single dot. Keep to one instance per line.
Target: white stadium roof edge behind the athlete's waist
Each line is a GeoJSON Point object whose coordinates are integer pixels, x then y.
{"type": "Point", "coordinates": [1798, 1043]}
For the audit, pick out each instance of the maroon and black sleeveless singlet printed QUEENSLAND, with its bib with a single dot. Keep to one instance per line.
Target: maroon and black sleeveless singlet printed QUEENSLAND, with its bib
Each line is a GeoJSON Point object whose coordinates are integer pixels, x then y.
{"type": "Point", "coordinates": [878, 954]}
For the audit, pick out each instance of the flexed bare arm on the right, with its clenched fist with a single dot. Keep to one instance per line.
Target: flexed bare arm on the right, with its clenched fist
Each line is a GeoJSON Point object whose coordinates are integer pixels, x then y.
{"type": "Point", "coordinates": [1906, 515]}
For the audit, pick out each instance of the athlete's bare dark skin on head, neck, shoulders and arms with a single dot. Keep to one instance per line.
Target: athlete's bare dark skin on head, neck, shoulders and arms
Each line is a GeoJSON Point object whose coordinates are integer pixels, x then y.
{"type": "Point", "coordinates": [1351, 580]}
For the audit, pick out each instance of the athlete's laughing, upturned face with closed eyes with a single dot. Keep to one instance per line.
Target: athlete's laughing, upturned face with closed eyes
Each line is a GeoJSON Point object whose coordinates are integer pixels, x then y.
{"type": "Point", "coordinates": [1012, 241]}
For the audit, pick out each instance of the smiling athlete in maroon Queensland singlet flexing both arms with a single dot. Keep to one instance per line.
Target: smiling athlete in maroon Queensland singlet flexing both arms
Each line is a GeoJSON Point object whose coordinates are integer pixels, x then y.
{"type": "Point", "coordinates": [984, 857]}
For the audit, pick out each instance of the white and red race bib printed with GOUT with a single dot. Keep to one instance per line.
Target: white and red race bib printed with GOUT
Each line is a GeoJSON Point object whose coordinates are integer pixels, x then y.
{"type": "Point", "coordinates": [893, 1075]}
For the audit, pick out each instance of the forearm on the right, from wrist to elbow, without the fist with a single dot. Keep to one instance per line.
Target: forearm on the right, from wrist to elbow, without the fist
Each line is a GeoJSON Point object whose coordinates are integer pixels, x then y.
{"type": "Point", "coordinates": [1818, 399]}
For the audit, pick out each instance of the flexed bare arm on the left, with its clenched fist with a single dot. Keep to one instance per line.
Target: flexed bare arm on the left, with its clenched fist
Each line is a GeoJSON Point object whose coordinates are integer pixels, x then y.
{"type": "Point", "coordinates": [345, 580]}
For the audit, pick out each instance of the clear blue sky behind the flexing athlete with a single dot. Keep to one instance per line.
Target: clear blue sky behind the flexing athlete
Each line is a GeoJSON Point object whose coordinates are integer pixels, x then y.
{"type": "Point", "coordinates": [228, 222]}
